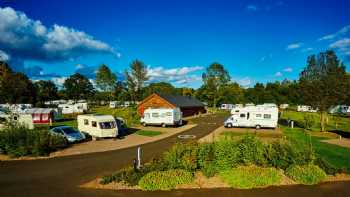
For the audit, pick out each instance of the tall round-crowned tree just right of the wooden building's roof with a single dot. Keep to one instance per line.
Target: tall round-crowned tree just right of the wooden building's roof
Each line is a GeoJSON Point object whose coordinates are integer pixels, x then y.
{"type": "Point", "coordinates": [214, 78]}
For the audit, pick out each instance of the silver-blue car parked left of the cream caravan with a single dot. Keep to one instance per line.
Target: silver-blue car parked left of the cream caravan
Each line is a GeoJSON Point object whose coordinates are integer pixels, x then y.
{"type": "Point", "coordinates": [72, 135]}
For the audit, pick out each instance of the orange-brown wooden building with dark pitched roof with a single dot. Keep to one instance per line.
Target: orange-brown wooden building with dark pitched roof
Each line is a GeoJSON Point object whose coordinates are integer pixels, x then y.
{"type": "Point", "coordinates": [188, 105]}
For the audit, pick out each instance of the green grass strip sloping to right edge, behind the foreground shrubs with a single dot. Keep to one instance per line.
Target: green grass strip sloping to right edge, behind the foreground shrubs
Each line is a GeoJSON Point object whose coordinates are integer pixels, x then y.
{"type": "Point", "coordinates": [336, 155]}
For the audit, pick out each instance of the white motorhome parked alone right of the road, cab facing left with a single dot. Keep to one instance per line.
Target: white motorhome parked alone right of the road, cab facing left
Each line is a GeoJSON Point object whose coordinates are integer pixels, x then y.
{"type": "Point", "coordinates": [253, 116]}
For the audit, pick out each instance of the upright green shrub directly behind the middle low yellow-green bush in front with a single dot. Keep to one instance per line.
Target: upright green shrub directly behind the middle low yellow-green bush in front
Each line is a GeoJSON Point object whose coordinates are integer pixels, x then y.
{"type": "Point", "coordinates": [251, 150]}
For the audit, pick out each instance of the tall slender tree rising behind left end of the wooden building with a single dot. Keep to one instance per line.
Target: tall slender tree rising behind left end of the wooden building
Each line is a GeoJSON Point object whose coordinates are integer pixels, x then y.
{"type": "Point", "coordinates": [136, 78]}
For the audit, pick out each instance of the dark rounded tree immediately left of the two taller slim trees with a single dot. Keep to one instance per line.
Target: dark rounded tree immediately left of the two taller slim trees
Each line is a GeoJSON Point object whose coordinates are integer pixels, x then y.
{"type": "Point", "coordinates": [78, 87]}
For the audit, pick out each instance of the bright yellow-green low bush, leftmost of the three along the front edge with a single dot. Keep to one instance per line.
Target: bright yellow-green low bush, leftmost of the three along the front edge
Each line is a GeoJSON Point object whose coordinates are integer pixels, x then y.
{"type": "Point", "coordinates": [165, 180]}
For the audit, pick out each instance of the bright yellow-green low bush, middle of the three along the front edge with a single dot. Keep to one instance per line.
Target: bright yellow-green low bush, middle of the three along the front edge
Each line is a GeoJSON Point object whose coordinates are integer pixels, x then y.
{"type": "Point", "coordinates": [246, 177]}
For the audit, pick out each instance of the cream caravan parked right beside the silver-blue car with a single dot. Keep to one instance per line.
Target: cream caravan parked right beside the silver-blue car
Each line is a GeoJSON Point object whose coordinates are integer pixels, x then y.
{"type": "Point", "coordinates": [98, 125]}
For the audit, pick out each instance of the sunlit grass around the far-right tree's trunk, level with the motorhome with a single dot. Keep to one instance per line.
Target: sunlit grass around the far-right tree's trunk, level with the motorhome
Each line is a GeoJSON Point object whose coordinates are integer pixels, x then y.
{"type": "Point", "coordinates": [343, 122]}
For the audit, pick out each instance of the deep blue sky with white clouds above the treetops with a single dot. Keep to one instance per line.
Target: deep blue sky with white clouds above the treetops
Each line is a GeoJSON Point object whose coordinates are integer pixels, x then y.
{"type": "Point", "coordinates": [256, 41]}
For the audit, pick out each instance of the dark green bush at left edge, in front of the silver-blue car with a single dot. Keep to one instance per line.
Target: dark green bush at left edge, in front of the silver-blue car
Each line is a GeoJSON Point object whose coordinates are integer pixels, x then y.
{"type": "Point", "coordinates": [17, 140]}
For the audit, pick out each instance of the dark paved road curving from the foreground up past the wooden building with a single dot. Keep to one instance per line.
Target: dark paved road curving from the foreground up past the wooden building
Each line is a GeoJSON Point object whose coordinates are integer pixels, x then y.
{"type": "Point", "coordinates": [61, 176]}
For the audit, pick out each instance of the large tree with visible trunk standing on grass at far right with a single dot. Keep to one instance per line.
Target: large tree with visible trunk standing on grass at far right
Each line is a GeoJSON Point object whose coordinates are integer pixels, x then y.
{"type": "Point", "coordinates": [323, 83]}
